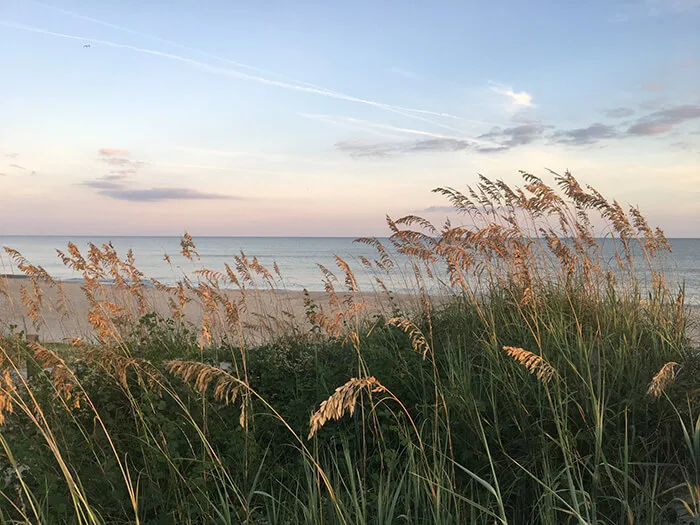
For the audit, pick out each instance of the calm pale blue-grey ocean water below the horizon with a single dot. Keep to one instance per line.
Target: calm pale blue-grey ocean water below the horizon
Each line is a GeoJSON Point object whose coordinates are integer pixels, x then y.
{"type": "Point", "coordinates": [297, 258]}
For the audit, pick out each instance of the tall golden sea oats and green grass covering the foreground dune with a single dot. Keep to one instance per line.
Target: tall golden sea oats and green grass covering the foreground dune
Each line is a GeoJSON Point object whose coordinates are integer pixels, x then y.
{"type": "Point", "coordinates": [550, 381]}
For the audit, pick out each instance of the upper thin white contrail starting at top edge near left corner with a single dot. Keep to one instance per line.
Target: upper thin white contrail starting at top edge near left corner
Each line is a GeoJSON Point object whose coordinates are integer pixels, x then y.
{"type": "Point", "coordinates": [299, 84]}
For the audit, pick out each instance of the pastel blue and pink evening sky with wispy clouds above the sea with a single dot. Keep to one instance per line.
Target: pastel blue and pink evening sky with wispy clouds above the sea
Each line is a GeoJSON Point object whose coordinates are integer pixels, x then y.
{"type": "Point", "coordinates": [285, 118]}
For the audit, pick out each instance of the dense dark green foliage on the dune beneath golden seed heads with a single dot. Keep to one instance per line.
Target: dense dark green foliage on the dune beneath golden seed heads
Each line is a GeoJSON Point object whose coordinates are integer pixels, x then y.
{"type": "Point", "coordinates": [588, 446]}
